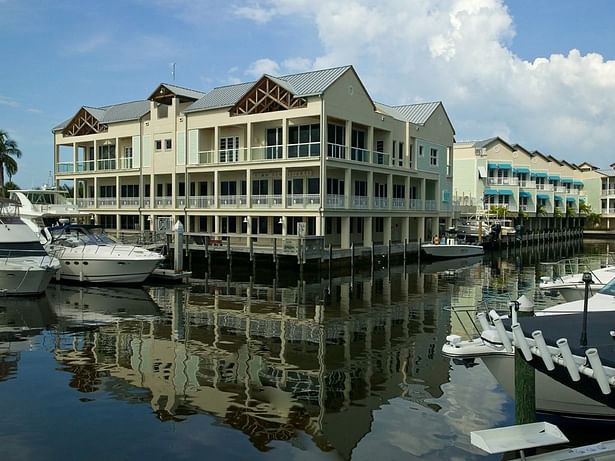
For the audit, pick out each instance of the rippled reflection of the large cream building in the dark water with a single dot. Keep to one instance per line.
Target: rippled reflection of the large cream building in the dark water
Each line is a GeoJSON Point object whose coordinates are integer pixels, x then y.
{"type": "Point", "coordinates": [273, 362]}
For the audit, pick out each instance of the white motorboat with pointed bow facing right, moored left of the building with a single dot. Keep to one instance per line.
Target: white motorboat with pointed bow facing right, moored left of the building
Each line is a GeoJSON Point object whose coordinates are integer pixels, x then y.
{"type": "Point", "coordinates": [89, 255]}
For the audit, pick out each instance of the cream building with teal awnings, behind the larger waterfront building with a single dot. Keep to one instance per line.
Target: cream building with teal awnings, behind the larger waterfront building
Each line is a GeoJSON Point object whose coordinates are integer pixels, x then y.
{"type": "Point", "coordinates": [495, 174]}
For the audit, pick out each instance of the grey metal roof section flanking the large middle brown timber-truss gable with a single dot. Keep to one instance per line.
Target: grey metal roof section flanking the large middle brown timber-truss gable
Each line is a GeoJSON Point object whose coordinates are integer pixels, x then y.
{"type": "Point", "coordinates": [301, 85]}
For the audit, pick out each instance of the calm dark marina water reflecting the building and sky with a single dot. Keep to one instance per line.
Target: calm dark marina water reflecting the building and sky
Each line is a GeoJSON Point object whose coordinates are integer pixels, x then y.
{"type": "Point", "coordinates": [235, 367]}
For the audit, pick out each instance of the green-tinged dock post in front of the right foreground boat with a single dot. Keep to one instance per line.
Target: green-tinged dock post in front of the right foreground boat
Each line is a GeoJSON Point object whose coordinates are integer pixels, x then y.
{"type": "Point", "coordinates": [525, 381]}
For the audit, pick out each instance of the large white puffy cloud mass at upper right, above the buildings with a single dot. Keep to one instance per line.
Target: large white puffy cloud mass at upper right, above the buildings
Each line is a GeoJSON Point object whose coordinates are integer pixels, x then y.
{"type": "Point", "coordinates": [458, 51]}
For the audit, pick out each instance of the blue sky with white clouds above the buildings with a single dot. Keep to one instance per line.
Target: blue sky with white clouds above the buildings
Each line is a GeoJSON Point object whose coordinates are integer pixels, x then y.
{"type": "Point", "coordinates": [540, 73]}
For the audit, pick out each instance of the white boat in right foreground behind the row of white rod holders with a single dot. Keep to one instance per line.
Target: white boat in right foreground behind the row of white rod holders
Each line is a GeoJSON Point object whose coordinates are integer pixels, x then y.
{"type": "Point", "coordinates": [551, 396]}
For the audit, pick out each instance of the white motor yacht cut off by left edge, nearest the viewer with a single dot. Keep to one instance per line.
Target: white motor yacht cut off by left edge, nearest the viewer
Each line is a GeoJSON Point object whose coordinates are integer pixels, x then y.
{"type": "Point", "coordinates": [25, 266]}
